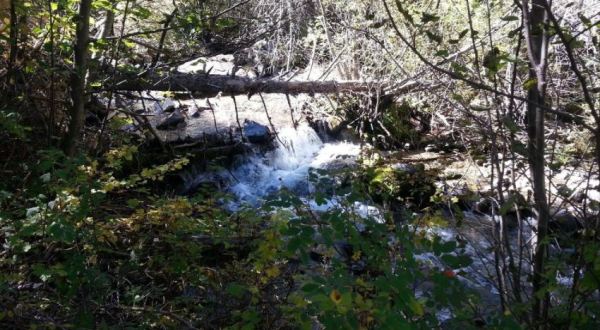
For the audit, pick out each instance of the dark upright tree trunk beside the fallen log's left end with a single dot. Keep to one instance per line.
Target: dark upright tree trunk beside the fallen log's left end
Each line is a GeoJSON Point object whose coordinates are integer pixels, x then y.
{"type": "Point", "coordinates": [78, 78]}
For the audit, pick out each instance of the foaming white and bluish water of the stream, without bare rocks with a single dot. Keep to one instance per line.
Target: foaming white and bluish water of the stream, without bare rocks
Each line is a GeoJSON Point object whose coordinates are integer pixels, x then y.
{"type": "Point", "coordinates": [255, 176]}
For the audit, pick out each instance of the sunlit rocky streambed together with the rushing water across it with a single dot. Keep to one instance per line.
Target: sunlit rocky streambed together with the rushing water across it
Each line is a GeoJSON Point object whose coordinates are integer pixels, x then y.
{"type": "Point", "coordinates": [281, 151]}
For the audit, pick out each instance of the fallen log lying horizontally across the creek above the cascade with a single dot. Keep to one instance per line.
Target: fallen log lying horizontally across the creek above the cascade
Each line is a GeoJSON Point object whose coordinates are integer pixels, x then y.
{"type": "Point", "coordinates": [207, 85]}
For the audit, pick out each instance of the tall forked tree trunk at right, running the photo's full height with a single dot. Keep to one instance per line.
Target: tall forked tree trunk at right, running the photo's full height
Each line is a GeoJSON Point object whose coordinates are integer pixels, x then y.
{"type": "Point", "coordinates": [535, 24]}
